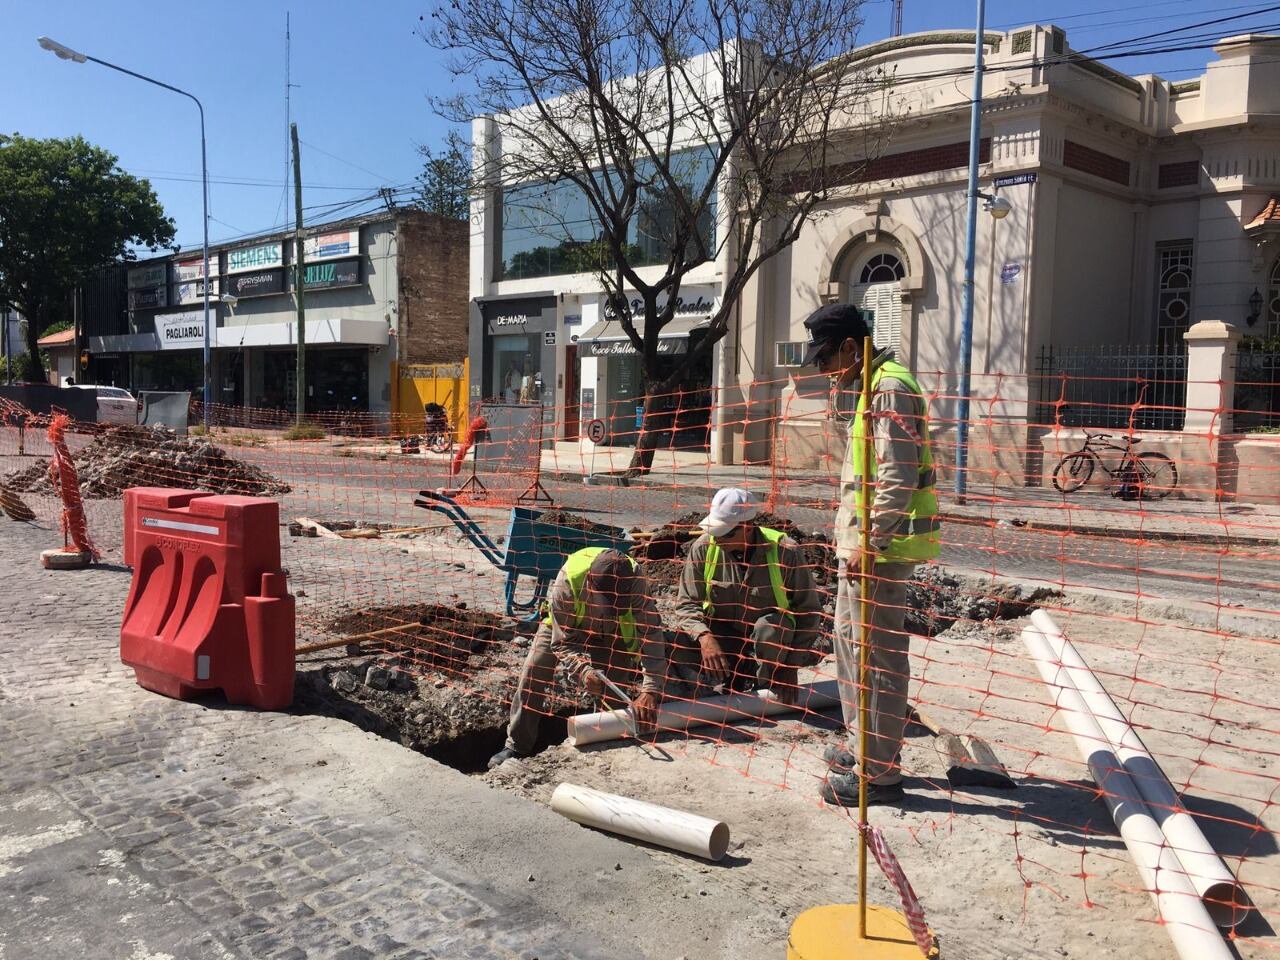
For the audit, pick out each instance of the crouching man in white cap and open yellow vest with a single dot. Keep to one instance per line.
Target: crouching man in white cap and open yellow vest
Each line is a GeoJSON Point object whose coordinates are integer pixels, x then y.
{"type": "Point", "coordinates": [749, 601]}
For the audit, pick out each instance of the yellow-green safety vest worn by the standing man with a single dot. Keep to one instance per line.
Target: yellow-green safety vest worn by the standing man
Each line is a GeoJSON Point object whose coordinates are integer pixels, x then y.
{"type": "Point", "coordinates": [916, 540]}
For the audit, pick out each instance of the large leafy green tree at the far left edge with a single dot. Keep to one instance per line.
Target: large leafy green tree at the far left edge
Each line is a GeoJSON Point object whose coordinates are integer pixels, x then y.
{"type": "Point", "coordinates": [67, 211]}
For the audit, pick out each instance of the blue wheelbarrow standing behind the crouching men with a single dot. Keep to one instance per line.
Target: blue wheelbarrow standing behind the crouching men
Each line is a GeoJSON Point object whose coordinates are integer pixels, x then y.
{"type": "Point", "coordinates": [534, 548]}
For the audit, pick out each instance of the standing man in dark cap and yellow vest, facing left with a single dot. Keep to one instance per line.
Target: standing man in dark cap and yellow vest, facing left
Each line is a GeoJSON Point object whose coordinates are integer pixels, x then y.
{"type": "Point", "coordinates": [904, 532]}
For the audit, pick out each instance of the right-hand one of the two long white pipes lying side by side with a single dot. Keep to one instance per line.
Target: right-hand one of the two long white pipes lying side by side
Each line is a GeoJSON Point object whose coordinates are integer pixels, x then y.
{"type": "Point", "coordinates": [1223, 895]}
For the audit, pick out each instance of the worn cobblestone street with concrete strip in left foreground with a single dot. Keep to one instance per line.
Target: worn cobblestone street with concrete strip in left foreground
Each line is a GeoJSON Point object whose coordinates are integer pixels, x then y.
{"type": "Point", "coordinates": [143, 829]}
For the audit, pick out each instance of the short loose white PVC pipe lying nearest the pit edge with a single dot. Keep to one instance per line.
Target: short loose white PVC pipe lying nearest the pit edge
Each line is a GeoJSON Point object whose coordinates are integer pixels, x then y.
{"type": "Point", "coordinates": [652, 824]}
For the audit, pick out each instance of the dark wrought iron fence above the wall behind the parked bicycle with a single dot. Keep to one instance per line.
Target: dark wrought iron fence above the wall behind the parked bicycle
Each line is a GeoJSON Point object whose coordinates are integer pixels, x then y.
{"type": "Point", "coordinates": [1130, 387]}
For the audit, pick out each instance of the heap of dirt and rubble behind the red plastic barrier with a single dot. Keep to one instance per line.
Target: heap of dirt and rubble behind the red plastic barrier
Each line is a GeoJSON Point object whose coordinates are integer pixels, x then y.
{"type": "Point", "coordinates": [125, 458]}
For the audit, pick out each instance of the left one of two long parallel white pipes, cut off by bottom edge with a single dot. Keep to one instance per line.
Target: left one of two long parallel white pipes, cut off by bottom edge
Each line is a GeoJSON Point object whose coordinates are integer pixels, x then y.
{"type": "Point", "coordinates": [1178, 904]}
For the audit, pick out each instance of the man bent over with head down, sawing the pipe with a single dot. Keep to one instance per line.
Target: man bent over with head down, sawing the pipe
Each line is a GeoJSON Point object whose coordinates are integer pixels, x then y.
{"type": "Point", "coordinates": [601, 618]}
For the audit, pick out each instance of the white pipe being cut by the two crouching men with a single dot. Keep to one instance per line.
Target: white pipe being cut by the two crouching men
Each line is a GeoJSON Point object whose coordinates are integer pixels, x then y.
{"type": "Point", "coordinates": [719, 711]}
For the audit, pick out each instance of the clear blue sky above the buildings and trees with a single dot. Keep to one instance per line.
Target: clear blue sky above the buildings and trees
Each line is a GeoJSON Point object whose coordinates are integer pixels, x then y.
{"type": "Point", "coordinates": [364, 79]}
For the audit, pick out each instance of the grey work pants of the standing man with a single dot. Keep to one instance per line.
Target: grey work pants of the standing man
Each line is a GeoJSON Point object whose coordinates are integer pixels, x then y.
{"type": "Point", "coordinates": [889, 669]}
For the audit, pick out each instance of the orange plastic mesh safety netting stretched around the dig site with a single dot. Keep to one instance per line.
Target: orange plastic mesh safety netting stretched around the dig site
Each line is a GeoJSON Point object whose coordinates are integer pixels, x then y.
{"type": "Point", "coordinates": [1158, 557]}
